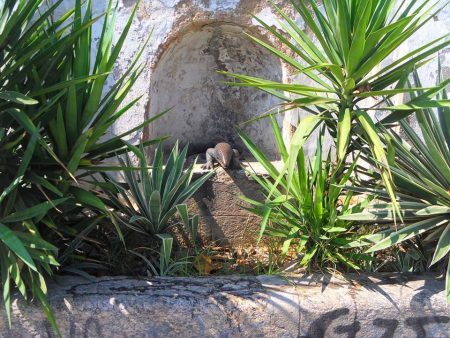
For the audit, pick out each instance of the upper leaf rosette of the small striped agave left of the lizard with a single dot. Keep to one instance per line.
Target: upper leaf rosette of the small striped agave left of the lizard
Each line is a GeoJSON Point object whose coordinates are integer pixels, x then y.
{"type": "Point", "coordinates": [153, 195]}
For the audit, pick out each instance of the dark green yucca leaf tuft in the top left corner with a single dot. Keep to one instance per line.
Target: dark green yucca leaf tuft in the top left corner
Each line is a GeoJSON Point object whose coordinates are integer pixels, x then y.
{"type": "Point", "coordinates": [25, 37]}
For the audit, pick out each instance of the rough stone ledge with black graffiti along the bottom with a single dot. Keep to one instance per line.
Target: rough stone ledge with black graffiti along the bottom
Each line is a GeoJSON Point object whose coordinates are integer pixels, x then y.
{"type": "Point", "coordinates": [264, 306]}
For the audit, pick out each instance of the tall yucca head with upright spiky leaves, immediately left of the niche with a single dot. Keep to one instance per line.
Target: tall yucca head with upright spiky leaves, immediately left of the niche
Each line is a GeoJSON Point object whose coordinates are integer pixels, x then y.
{"type": "Point", "coordinates": [84, 111]}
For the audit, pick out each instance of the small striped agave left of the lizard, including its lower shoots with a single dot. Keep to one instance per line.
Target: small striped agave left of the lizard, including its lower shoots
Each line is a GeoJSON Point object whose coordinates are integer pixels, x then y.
{"type": "Point", "coordinates": [149, 198]}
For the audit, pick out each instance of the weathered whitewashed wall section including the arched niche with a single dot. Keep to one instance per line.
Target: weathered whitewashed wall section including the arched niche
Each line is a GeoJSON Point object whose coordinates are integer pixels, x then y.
{"type": "Point", "coordinates": [191, 40]}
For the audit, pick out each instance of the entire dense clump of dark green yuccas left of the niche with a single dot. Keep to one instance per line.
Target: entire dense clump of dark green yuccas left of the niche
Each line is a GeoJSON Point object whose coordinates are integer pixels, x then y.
{"type": "Point", "coordinates": [54, 112]}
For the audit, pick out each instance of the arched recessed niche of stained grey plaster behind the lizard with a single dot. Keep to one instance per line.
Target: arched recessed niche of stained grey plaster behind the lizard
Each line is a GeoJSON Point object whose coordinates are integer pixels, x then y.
{"type": "Point", "coordinates": [205, 109]}
